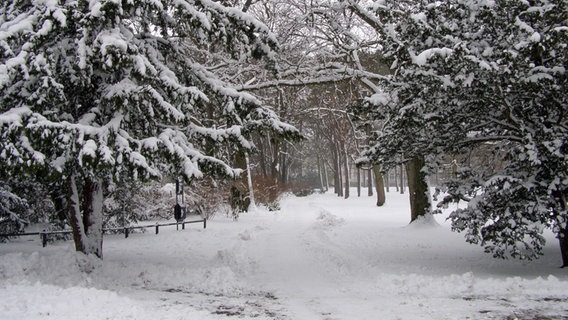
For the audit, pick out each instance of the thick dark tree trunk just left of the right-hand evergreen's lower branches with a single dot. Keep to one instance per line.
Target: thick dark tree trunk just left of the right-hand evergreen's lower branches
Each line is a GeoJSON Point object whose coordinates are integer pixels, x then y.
{"type": "Point", "coordinates": [420, 204]}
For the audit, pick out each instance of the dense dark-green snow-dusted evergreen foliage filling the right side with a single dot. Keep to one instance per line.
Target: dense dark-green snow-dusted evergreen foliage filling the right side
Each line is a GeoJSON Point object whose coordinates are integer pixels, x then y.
{"type": "Point", "coordinates": [473, 75]}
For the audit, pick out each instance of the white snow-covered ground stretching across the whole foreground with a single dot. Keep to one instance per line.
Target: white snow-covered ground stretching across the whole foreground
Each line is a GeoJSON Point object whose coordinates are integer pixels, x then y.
{"type": "Point", "coordinates": [321, 257]}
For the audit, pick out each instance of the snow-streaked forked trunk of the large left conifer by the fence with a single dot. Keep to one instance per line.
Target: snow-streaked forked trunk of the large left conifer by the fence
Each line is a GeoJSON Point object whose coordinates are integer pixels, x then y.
{"type": "Point", "coordinates": [85, 215]}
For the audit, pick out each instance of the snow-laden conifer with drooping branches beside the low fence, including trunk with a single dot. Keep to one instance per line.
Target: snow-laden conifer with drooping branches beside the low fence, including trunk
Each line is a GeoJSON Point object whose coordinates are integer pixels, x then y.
{"type": "Point", "coordinates": [92, 92]}
